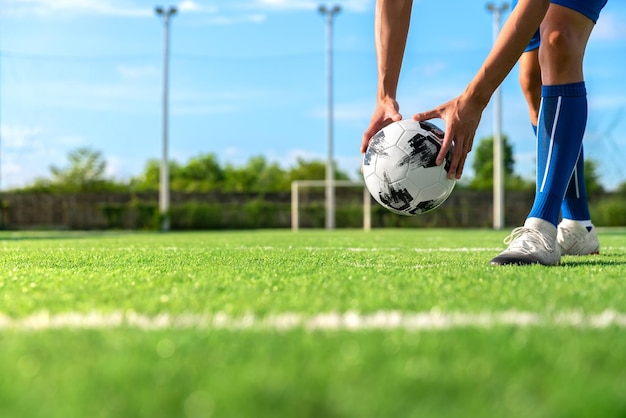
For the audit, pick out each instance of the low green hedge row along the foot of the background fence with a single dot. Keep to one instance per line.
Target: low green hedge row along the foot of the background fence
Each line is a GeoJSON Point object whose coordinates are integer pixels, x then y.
{"type": "Point", "coordinates": [609, 210]}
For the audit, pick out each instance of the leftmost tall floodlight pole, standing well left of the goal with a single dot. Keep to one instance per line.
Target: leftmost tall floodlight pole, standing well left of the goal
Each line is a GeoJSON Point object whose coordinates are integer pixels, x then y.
{"type": "Point", "coordinates": [164, 179]}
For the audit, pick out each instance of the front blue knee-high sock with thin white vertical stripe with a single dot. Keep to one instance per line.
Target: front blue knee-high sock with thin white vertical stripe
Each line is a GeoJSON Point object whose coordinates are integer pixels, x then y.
{"type": "Point", "coordinates": [562, 122]}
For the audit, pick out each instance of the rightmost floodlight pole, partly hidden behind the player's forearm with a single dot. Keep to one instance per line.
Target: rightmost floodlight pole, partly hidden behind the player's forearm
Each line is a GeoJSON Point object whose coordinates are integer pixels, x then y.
{"type": "Point", "coordinates": [498, 154]}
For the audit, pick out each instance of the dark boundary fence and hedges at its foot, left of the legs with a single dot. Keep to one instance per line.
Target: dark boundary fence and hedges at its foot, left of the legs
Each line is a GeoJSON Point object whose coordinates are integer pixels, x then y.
{"type": "Point", "coordinates": [240, 210]}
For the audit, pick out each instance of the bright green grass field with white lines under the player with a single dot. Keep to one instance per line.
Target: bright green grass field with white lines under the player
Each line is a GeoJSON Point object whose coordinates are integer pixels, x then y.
{"type": "Point", "coordinates": [390, 323]}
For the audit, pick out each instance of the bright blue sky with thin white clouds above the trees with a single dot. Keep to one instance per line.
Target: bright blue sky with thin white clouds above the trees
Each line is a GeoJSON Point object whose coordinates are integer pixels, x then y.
{"type": "Point", "coordinates": [248, 78]}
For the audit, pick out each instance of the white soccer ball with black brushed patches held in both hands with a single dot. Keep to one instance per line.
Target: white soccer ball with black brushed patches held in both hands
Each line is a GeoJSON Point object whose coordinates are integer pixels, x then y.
{"type": "Point", "coordinates": [400, 171]}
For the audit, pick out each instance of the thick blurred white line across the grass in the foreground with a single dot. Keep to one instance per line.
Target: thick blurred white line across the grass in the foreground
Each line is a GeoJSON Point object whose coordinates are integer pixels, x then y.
{"type": "Point", "coordinates": [350, 321]}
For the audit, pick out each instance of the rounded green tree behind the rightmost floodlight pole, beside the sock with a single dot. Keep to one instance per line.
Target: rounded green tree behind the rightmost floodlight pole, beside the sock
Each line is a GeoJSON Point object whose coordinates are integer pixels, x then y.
{"type": "Point", "coordinates": [483, 167]}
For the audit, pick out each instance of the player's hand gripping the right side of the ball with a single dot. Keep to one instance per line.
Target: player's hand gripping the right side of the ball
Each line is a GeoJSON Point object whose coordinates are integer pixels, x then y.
{"type": "Point", "coordinates": [461, 117]}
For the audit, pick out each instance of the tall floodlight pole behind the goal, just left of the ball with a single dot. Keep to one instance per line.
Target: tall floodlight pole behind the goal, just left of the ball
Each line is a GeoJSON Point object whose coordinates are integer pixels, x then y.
{"type": "Point", "coordinates": [329, 13]}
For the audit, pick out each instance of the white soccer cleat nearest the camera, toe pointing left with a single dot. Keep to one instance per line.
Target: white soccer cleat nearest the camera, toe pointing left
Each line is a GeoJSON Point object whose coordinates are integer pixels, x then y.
{"type": "Point", "coordinates": [533, 243]}
